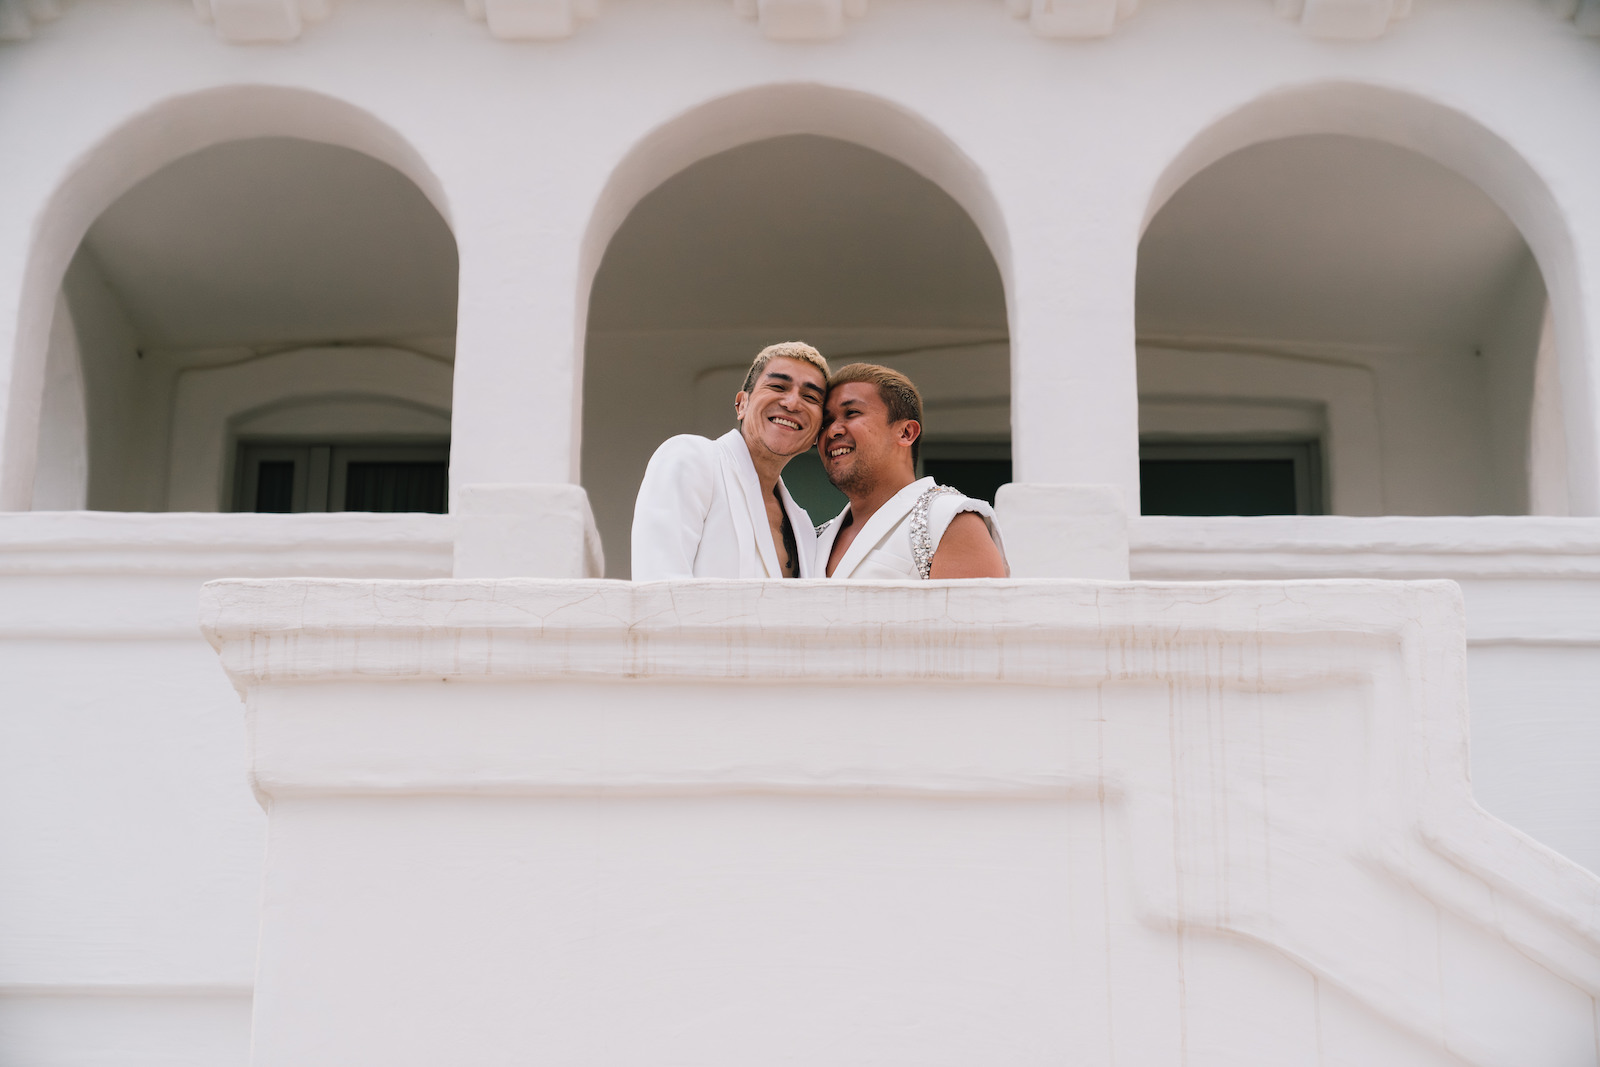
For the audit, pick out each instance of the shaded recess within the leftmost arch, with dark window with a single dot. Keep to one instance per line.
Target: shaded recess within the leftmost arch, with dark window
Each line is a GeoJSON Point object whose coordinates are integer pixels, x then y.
{"type": "Point", "coordinates": [260, 326]}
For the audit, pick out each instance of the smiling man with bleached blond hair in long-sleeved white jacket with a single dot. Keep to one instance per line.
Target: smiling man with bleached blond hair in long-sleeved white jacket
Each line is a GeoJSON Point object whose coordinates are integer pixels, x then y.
{"type": "Point", "coordinates": [719, 508]}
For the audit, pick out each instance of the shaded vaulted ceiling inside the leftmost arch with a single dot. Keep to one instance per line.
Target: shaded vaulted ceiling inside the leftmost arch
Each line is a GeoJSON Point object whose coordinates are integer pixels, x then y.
{"type": "Point", "coordinates": [278, 241]}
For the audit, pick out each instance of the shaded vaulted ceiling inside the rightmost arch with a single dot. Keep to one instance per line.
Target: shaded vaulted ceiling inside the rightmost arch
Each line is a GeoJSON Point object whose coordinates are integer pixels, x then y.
{"type": "Point", "coordinates": [1329, 239]}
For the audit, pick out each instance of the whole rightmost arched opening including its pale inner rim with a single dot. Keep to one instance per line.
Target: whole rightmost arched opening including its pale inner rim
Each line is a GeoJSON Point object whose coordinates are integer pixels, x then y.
{"type": "Point", "coordinates": [1346, 311]}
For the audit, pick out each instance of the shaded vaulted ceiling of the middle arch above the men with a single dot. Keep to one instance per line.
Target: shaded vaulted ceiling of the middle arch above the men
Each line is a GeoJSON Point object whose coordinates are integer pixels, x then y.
{"type": "Point", "coordinates": [798, 231]}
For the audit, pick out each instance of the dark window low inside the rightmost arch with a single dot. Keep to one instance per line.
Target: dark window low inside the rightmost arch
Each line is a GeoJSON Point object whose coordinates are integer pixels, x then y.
{"type": "Point", "coordinates": [1231, 479]}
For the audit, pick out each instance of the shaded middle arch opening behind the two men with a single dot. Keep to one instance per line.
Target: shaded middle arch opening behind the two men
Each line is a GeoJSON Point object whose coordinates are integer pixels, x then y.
{"type": "Point", "coordinates": [791, 238]}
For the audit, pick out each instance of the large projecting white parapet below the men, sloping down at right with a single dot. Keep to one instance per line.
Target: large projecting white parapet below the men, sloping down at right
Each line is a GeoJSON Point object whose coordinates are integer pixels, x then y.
{"type": "Point", "coordinates": [985, 823]}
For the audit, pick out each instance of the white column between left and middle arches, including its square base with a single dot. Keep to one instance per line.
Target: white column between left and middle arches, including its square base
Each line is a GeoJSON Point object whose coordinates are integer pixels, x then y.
{"type": "Point", "coordinates": [516, 412]}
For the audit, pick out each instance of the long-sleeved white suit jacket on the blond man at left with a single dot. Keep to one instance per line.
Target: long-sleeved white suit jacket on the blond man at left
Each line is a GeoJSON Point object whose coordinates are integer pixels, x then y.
{"type": "Point", "coordinates": [700, 514]}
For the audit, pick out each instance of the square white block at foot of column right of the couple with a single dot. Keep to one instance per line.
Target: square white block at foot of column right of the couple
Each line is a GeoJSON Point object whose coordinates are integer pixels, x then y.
{"type": "Point", "coordinates": [1065, 530]}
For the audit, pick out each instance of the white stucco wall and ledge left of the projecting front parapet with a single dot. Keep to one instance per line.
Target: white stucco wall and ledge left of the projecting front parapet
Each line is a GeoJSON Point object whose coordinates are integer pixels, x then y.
{"type": "Point", "coordinates": [132, 845]}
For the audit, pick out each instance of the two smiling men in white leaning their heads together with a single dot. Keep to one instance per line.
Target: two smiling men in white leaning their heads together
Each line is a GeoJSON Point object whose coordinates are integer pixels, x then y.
{"type": "Point", "coordinates": [721, 510]}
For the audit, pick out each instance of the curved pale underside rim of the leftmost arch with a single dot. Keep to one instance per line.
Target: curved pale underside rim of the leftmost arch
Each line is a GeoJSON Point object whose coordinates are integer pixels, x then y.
{"type": "Point", "coordinates": [137, 150]}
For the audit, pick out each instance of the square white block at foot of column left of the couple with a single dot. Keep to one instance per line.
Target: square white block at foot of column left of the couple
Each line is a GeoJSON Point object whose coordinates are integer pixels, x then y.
{"type": "Point", "coordinates": [526, 532]}
